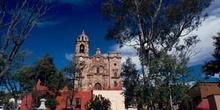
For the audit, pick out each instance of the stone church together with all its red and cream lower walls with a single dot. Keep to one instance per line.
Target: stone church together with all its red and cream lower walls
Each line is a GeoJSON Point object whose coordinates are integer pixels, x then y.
{"type": "Point", "coordinates": [94, 75]}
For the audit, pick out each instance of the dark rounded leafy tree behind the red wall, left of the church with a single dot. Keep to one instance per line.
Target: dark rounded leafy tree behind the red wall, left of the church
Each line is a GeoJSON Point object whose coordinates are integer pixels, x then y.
{"type": "Point", "coordinates": [49, 75]}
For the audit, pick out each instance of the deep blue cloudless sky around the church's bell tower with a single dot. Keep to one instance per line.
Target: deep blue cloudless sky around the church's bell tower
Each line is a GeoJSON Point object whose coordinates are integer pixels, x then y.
{"type": "Point", "coordinates": [57, 36]}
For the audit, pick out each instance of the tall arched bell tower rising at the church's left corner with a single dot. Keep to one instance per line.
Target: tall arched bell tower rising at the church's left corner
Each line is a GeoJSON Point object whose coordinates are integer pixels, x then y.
{"type": "Point", "coordinates": [82, 45]}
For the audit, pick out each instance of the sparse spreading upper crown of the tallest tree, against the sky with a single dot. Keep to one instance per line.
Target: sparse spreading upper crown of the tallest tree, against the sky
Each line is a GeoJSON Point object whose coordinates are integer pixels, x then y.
{"type": "Point", "coordinates": [152, 22]}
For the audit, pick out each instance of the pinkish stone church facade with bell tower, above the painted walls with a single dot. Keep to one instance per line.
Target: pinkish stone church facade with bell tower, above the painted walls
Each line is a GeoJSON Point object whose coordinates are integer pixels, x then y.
{"type": "Point", "coordinates": [98, 71]}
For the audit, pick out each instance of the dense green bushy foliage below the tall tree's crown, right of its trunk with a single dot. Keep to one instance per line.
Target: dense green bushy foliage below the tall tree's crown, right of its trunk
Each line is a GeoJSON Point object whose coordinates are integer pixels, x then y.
{"type": "Point", "coordinates": [168, 77]}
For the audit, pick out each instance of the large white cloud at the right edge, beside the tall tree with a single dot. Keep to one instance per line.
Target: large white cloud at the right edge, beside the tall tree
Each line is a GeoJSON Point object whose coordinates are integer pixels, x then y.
{"type": "Point", "coordinates": [208, 29]}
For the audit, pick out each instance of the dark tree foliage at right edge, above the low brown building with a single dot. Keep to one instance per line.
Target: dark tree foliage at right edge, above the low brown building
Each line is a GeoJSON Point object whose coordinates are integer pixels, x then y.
{"type": "Point", "coordinates": [213, 66]}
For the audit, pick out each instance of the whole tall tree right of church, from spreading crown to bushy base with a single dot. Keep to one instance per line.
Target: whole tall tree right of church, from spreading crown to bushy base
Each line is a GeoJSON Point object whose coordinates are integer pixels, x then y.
{"type": "Point", "coordinates": [156, 27]}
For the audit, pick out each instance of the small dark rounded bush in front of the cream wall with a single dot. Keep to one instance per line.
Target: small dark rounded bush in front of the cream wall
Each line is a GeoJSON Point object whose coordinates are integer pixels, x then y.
{"type": "Point", "coordinates": [98, 102]}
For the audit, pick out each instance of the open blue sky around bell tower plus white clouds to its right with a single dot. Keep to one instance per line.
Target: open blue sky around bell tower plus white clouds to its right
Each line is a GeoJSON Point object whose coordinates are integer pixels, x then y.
{"type": "Point", "coordinates": [57, 37]}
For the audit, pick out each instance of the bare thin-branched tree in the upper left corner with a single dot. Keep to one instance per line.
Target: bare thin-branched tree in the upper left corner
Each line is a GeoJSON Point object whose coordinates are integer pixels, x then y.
{"type": "Point", "coordinates": [17, 20]}
